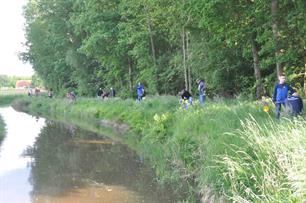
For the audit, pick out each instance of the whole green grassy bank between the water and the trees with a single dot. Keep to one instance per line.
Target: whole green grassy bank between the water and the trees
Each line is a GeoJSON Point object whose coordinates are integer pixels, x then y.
{"type": "Point", "coordinates": [232, 149]}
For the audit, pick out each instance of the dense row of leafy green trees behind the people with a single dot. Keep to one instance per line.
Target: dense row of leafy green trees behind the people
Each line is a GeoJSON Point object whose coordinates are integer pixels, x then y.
{"type": "Point", "coordinates": [236, 46]}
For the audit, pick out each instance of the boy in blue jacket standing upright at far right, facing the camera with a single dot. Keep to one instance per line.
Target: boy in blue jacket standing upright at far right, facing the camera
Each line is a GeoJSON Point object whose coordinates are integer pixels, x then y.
{"type": "Point", "coordinates": [281, 91]}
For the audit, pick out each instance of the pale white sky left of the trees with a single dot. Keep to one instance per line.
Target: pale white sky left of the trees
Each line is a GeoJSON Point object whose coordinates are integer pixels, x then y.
{"type": "Point", "coordinates": [11, 38]}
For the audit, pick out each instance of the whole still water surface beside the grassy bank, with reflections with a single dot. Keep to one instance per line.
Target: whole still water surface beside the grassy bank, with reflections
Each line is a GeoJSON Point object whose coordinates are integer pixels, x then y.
{"type": "Point", "coordinates": [46, 161]}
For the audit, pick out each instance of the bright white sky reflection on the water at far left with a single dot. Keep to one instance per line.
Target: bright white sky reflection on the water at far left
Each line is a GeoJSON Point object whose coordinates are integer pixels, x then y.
{"type": "Point", "coordinates": [21, 131]}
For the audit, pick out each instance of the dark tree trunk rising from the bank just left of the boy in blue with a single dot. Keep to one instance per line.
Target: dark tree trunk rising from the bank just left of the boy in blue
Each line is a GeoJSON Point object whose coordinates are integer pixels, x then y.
{"type": "Point", "coordinates": [257, 72]}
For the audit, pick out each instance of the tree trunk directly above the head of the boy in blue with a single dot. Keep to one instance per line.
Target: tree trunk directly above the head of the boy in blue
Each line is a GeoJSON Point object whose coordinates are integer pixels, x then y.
{"type": "Point", "coordinates": [274, 11]}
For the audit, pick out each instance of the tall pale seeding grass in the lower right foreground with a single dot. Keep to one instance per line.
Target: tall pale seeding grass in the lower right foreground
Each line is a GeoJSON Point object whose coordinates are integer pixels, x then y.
{"type": "Point", "coordinates": [270, 166]}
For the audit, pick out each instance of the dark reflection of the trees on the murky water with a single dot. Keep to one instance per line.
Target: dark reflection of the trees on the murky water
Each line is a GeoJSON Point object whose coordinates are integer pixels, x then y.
{"type": "Point", "coordinates": [68, 160]}
